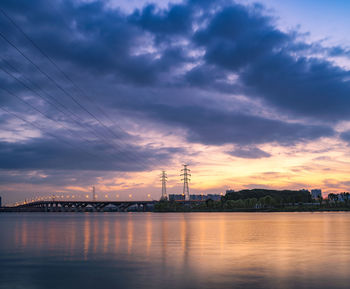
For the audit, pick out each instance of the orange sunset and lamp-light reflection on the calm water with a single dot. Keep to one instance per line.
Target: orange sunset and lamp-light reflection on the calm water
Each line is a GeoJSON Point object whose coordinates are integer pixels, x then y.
{"type": "Point", "coordinates": [278, 244]}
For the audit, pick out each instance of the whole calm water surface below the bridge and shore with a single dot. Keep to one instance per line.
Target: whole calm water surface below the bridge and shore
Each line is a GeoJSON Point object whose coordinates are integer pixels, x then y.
{"type": "Point", "coordinates": [191, 250]}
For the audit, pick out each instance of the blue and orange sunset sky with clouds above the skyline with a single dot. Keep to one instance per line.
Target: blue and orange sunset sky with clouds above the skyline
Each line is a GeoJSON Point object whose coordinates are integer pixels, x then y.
{"type": "Point", "coordinates": [249, 94]}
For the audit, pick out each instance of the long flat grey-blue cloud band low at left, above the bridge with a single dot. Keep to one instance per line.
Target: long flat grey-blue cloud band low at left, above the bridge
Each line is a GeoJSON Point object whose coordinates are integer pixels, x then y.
{"type": "Point", "coordinates": [46, 153]}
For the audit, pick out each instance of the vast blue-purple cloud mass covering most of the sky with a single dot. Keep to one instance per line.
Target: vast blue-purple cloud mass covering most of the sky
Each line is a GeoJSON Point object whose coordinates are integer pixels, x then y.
{"type": "Point", "coordinates": [216, 73]}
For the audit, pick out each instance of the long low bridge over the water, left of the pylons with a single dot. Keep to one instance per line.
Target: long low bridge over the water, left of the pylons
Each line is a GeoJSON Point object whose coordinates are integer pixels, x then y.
{"type": "Point", "coordinates": [84, 206]}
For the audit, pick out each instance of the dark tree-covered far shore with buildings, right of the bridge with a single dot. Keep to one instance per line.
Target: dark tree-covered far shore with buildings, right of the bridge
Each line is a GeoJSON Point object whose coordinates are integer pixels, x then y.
{"type": "Point", "coordinates": [260, 200]}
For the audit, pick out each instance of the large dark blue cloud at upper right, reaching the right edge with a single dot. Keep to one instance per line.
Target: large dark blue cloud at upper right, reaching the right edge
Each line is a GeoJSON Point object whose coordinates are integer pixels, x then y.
{"type": "Point", "coordinates": [245, 42]}
